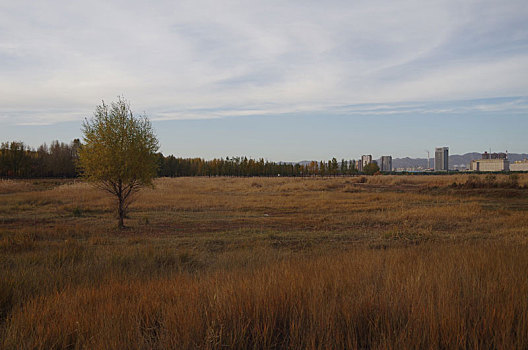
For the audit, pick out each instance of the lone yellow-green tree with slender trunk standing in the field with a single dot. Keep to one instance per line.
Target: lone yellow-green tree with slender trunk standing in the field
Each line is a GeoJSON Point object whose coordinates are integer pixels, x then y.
{"type": "Point", "coordinates": [118, 153]}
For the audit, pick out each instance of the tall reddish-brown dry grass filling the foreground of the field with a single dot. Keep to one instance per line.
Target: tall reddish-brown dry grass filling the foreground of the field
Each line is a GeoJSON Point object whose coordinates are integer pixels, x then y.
{"type": "Point", "coordinates": [448, 297]}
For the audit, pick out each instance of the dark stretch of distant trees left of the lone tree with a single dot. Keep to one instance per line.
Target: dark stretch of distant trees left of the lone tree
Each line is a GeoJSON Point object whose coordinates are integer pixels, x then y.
{"type": "Point", "coordinates": [18, 160]}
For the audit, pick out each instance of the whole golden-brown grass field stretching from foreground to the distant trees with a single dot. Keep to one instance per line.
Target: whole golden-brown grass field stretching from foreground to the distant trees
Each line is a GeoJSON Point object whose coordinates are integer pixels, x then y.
{"type": "Point", "coordinates": [379, 262]}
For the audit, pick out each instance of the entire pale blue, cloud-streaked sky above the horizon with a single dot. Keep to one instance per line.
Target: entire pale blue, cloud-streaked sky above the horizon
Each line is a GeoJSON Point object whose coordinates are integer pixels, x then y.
{"type": "Point", "coordinates": [282, 80]}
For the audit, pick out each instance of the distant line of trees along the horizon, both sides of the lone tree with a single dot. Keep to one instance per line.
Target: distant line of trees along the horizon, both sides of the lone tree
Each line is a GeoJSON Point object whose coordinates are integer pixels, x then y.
{"type": "Point", "coordinates": [59, 159]}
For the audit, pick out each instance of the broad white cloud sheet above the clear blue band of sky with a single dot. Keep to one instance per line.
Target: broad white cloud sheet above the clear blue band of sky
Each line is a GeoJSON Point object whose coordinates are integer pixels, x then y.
{"type": "Point", "coordinates": [207, 59]}
